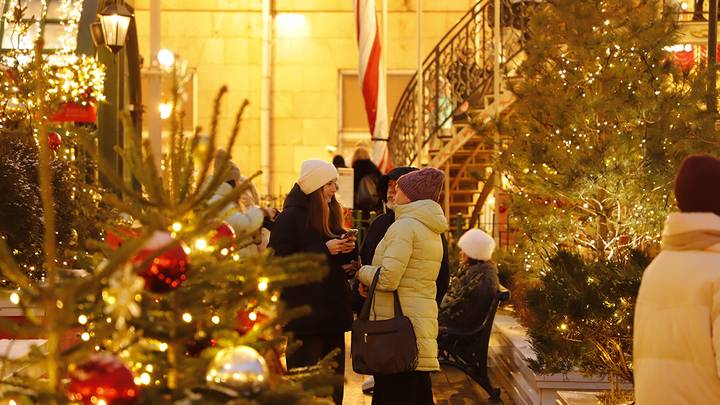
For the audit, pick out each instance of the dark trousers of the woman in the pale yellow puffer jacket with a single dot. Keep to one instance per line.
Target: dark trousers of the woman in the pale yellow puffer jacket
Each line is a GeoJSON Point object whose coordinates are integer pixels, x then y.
{"type": "Point", "coordinates": [414, 388]}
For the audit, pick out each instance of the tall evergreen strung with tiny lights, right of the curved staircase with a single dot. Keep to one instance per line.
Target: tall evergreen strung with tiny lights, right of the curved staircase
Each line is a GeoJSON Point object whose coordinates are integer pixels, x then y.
{"type": "Point", "coordinates": [601, 121]}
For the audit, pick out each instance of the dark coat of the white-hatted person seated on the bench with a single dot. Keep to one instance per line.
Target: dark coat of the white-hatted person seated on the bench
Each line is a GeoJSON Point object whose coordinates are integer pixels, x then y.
{"type": "Point", "coordinates": [470, 296]}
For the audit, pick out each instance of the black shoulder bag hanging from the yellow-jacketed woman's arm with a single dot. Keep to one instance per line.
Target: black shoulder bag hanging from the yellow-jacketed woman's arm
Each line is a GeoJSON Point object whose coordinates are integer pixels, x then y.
{"type": "Point", "coordinates": [383, 347]}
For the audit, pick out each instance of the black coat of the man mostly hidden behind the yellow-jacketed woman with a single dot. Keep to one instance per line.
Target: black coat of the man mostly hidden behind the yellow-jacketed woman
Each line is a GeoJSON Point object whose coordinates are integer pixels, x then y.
{"type": "Point", "coordinates": [375, 233]}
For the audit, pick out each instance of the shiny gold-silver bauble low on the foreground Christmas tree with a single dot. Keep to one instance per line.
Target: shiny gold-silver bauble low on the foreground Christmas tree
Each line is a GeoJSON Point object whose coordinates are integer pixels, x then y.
{"type": "Point", "coordinates": [241, 368]}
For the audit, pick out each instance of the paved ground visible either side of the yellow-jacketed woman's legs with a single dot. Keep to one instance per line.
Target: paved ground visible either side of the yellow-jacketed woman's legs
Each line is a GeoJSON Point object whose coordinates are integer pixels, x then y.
{"type": "Point", "coordinates": [450, 386]}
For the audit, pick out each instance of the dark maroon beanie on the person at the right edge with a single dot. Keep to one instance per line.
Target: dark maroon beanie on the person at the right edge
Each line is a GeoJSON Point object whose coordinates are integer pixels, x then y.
{"type": "Point", "coordinates": [697, 185]}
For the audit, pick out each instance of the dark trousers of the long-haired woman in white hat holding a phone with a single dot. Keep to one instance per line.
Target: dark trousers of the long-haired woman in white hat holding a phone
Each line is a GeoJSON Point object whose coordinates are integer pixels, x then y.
{"type": "Point", "coordinates": [314, 348]}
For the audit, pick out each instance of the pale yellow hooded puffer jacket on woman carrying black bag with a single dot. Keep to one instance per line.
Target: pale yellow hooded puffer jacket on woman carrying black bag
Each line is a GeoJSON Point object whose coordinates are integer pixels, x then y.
{"type": "Point", "coordinates": [409, 258]}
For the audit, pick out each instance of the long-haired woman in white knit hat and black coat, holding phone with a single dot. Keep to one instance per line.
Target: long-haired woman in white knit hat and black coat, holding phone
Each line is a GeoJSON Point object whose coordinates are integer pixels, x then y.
{"type": "Point", "coordinates": [312, 222]}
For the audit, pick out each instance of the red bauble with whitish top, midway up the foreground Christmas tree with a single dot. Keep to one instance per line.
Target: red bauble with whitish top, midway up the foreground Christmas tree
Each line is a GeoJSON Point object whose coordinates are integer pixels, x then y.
{"type": "Point", "coordinates": [167, 270]}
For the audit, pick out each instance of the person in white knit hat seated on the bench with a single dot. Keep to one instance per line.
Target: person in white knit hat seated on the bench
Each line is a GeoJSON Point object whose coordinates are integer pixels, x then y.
{"type": "Point", "coordinates": [474, 286]}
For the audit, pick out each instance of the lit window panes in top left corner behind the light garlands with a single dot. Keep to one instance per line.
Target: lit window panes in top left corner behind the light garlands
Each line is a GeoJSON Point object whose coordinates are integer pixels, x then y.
{"type": "Point", "coordinates": [57, 22]}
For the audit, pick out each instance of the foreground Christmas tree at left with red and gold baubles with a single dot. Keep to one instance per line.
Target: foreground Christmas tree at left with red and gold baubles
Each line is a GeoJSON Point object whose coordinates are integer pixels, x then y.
{"type": "Point", "coordinates": [160, 305]}
